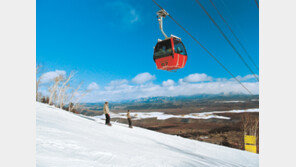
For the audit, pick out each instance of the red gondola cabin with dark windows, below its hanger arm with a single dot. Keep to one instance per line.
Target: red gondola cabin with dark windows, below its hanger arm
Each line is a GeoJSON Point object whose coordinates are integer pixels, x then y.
{"type": "Point", "coordinates": [170, 54]}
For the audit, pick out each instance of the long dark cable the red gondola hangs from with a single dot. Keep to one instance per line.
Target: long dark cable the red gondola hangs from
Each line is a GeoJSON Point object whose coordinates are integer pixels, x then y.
{"type": "Point", "coordinates": [207, 51]}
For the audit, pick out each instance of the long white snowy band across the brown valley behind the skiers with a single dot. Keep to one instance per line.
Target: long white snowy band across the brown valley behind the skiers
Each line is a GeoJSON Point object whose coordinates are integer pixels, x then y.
{"type": "Point", "coordinates": [163, 116]}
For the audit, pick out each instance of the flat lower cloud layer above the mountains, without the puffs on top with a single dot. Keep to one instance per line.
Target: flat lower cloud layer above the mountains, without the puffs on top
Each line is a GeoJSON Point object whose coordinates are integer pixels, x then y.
{"type": "Point", "coordinates": [128, 92]}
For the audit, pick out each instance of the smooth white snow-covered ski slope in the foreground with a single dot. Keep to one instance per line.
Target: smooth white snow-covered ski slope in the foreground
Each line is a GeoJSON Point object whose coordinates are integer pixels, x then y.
{"type": "Point", "coordinates": [68, 140]}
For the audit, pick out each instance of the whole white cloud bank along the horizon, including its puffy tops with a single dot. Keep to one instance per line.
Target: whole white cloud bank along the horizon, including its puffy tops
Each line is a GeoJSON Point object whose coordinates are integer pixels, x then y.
{"type": "Point", "coordinates": [118, 90]}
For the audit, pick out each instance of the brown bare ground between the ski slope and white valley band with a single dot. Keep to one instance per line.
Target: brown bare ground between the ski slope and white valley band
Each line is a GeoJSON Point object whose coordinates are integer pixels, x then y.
{"type": "Point", "coordinates": [217, 131]}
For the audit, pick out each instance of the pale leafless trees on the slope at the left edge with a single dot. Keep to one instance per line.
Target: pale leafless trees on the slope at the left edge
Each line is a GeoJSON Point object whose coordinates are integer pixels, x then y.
{"type": "Point", "coordinates": [61, 92]}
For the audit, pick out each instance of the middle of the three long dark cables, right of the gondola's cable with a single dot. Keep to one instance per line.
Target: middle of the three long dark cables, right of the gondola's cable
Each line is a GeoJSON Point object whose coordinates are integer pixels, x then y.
{"type": "Point", "coordinates": [227, 39]}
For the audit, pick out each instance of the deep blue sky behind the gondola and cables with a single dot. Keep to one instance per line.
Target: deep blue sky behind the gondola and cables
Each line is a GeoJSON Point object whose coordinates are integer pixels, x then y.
{"type": "Point", "coordinates": [108, 41]}
